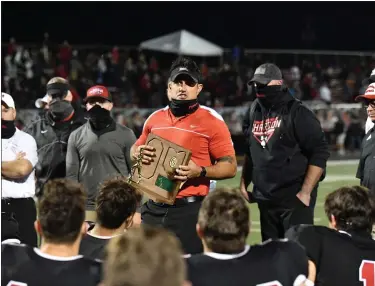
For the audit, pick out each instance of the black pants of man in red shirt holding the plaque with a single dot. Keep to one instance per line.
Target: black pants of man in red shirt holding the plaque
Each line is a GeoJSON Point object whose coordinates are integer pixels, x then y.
{"type": "Point", "coordinates": [180, 218]}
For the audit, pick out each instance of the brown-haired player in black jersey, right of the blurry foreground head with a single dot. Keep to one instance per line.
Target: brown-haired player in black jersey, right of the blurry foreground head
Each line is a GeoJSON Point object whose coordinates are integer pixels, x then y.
{"type": "Point", "coordinates": [223, 226]}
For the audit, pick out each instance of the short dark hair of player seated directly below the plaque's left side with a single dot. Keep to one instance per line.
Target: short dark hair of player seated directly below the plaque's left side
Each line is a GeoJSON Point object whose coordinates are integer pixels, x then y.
{"type": "Point", "coordinates": [116, 202]}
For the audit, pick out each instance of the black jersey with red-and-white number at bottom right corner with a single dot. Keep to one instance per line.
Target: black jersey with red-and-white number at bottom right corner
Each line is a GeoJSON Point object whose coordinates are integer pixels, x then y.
{"type": "Point", "coordinates": [341, 258]}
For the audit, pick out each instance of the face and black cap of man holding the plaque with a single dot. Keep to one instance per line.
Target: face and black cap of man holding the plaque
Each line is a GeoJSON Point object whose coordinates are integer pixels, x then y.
{"type": "Point", "coordinates": [184, 81]}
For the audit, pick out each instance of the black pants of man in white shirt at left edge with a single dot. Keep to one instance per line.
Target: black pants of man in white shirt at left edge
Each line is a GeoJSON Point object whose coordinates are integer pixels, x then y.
{"type": "Point", "coordinates": [24, 211]}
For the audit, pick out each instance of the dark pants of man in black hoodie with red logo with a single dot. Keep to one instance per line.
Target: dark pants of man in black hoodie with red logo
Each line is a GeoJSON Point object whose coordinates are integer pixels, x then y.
{"type": "Point", "coordinates": [276, 218]}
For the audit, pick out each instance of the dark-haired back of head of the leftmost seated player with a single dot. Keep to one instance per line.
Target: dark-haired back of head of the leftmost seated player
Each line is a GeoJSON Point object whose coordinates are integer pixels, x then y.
{"type": "Point", "coordinates": [61, 212]}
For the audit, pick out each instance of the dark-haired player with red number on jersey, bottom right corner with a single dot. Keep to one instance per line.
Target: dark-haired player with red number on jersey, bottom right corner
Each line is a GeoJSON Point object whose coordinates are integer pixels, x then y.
{"type": "Point", "coordinates": [344, 253]}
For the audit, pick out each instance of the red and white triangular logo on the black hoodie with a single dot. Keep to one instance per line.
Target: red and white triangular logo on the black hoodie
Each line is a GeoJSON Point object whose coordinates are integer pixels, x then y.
{"type": "Point", "coordinates": [264, 129]}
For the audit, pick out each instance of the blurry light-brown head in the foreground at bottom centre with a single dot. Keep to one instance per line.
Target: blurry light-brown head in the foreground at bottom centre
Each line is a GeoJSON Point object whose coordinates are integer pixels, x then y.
{"type": "Point", "coordinates": [144, 256]}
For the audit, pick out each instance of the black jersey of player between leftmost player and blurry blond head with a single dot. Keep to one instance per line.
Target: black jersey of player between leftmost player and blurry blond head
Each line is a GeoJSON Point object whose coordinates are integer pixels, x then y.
{"type": "Point", "coordinates": [93, 246]}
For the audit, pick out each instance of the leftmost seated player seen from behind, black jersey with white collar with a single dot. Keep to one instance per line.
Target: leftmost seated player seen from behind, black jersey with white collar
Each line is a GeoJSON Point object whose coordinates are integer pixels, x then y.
{"type": "Point", "coordinates": [61, 214]}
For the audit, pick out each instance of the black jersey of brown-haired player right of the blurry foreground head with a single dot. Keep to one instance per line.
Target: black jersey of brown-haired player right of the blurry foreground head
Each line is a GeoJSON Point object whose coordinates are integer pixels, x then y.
{"type": "Point", "coordinates": [273, 263]}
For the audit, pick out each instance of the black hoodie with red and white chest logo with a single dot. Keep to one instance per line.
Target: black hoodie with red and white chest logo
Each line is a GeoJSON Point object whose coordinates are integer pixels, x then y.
{"type": "Point", "coordinates": [293, 139]}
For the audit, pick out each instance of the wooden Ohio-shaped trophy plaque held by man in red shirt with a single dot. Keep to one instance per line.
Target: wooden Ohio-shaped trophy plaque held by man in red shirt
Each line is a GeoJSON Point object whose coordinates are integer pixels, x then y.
{"type": "Point", "coordinates": [156, 179]}
